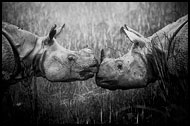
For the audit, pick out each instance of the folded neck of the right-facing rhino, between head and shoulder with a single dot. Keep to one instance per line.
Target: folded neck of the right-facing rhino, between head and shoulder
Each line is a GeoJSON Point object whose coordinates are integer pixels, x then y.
{"type": "Point", "coordinates": [23, 43]}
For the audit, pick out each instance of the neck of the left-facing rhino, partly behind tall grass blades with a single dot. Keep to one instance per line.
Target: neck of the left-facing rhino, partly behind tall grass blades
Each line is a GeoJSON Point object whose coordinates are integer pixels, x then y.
{"type": "Point", "coordinates": [159, 47]}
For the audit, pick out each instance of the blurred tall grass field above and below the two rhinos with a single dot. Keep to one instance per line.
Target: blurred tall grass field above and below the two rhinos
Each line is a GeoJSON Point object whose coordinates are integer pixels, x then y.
{"type": "Point", "coordinates": [98, 26]}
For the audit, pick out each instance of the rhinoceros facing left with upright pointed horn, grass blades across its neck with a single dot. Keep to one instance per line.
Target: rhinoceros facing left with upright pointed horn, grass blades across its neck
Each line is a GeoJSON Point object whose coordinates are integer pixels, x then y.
{"type": "Point", "coordinates": [165, 53]}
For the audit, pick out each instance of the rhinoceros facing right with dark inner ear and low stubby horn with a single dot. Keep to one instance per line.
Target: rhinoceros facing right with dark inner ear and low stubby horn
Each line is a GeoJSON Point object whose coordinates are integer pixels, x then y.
{"type": "Point", "coordinates": [25, 54]}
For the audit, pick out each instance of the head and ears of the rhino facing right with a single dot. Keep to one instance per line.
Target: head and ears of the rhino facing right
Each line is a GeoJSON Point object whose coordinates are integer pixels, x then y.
{"type": "Point", "coordinates": [59, 64]}
